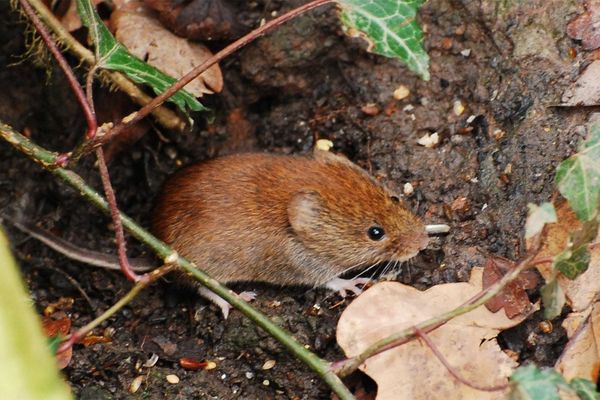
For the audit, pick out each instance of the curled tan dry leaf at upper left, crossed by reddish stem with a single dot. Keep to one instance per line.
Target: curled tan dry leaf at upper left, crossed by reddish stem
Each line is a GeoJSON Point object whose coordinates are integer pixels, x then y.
{"type": "Point", "coordinates": [135, 26]}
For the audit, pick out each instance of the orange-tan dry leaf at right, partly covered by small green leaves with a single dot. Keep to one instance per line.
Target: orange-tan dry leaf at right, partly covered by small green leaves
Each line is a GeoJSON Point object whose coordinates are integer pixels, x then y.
{"type": "Point", "coordinates": [581, 291]}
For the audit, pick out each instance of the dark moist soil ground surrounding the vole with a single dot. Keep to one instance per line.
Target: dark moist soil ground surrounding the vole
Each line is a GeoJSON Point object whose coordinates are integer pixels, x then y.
{"type": "Point", "coordinates": [507, 62]}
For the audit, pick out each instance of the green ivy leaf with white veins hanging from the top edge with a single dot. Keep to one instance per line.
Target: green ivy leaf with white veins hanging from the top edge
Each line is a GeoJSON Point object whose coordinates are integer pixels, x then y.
{"type": "Point", "coordinates": [391, 29]}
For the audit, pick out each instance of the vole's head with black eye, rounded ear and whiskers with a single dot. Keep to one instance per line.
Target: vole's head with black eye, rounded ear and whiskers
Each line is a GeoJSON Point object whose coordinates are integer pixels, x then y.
{"type": "Point", "coordinates": [349, 219]}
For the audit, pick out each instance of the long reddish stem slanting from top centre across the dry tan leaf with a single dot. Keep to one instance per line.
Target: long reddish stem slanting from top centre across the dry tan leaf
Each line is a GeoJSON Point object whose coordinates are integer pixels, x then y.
{"type": "Point", "coordinates": [187, 78]}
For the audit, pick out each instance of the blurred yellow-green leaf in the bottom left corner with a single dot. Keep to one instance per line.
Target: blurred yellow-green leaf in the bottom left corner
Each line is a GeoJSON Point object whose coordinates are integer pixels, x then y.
{"type": "Point", "coordinates": [27, 369]}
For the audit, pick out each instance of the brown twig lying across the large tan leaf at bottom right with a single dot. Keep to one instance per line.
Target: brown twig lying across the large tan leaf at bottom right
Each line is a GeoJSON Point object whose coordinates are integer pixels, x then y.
{"type": "Point", "coordinates": [346, 367]}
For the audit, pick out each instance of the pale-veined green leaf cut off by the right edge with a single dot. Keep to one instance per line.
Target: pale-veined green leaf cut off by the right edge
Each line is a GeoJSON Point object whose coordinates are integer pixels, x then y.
{"type": "Point", "coordinates": [578, 177]}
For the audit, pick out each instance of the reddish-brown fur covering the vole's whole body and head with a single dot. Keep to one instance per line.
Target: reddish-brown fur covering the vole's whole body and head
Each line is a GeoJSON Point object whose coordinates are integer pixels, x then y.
{"type": "Point", "coordinates": [283, 219]}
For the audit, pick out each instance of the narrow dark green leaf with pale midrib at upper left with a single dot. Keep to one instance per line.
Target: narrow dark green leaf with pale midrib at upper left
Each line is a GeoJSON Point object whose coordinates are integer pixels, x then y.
{"type": "Point", "coordinates": [112, 55]}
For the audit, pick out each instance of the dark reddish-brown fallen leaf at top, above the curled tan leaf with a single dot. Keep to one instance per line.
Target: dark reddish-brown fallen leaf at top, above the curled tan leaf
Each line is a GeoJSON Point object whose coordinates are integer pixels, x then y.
{"type": "Point", "coordinates": [199, 19]}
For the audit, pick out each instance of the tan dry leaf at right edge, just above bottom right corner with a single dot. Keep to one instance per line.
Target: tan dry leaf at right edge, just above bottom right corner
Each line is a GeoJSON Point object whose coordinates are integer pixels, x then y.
{"type": "Point", "coordinates": [581, 357]}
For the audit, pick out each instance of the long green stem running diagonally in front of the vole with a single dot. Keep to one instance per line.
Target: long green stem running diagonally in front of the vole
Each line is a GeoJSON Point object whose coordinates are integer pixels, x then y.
{"type": "Point", "coordinates": [48, 161]}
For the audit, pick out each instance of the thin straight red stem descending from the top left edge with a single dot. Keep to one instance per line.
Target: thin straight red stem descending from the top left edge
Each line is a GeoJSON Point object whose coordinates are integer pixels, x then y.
{"type": "Point", "coordinates": [90, 116]}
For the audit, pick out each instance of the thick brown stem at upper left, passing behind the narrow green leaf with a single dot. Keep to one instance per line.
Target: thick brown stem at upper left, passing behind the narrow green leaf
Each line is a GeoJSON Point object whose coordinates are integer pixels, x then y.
{"type": "Point", "coordinates": [164, 116]}
